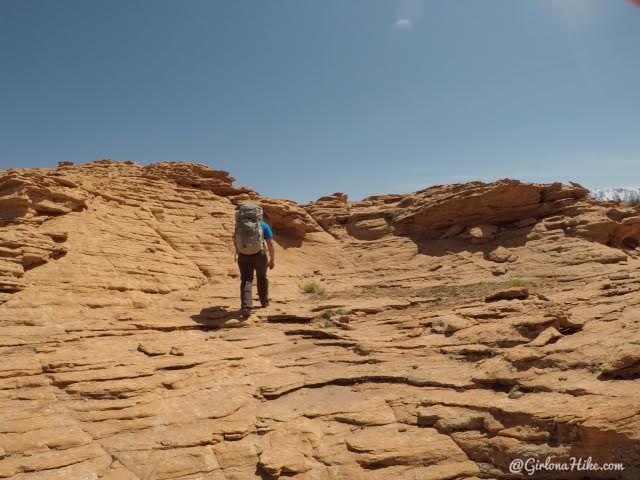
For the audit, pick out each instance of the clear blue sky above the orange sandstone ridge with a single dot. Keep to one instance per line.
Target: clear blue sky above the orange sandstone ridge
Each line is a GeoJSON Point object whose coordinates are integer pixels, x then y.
{"type": "Point", "coordinates": [301, 98]}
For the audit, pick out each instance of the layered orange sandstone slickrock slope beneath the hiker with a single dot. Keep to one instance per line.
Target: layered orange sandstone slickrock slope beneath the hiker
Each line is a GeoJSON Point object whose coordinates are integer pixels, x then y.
{"type": "Point", "coordinates": [454, 330]}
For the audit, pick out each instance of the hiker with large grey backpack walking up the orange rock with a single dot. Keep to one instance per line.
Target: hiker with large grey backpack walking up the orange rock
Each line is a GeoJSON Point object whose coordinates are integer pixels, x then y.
{"type": "Point", "coordinates": [250, 236]}
